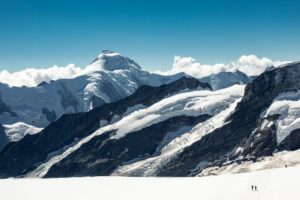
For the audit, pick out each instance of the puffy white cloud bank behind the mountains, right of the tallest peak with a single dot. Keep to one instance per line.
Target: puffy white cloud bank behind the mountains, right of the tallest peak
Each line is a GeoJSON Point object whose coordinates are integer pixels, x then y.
{"type": "Point", "coordinates": [249, 64]}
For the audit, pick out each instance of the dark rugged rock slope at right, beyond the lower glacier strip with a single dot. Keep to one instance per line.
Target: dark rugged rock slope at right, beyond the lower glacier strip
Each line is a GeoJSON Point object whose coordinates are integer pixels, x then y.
{"type": "Point", "coordinates": [219, 146]}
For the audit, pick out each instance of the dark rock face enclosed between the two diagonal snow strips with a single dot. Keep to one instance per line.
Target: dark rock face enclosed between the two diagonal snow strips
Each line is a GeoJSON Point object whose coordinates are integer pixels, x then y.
{"type": "Point", "coordinates": [102, 155]}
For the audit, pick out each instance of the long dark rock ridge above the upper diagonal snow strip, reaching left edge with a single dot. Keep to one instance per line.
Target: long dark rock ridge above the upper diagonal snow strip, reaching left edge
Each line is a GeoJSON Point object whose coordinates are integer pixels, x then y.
{"type": "Point", "coordinates": [26, 154]}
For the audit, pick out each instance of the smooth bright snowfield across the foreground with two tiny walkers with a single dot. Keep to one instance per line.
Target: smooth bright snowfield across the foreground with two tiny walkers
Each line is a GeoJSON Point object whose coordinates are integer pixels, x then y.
{"type": "Point", "coordinates": [274, 184]}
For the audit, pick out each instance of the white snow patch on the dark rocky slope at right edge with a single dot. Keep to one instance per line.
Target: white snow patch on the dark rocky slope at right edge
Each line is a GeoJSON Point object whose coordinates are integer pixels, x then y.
{"type": "Point", "coordinates": [288, 106]}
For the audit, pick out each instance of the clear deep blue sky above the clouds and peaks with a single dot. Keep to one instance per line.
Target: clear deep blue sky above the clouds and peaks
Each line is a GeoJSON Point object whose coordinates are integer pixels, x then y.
{"type": "Point", "coordinates": [35, 33]}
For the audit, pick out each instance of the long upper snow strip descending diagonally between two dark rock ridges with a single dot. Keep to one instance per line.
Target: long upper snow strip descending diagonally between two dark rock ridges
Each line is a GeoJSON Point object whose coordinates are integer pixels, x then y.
{"type": "Point", "coordinates": [190, 104]}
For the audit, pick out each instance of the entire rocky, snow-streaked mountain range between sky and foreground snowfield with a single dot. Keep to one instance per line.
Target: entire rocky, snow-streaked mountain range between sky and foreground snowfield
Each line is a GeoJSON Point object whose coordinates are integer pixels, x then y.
{"type": "Point", "coordinates": [118, 119]}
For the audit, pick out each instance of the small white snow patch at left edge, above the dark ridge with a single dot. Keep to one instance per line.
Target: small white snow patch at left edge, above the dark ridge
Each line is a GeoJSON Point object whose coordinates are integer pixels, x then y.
{"type": "Point", "coordinates": [17, 131]}
